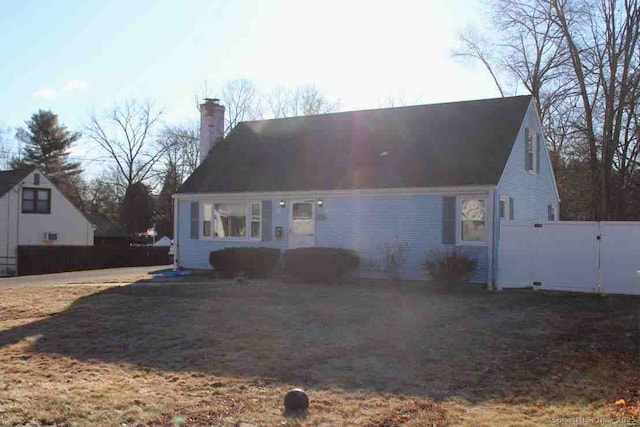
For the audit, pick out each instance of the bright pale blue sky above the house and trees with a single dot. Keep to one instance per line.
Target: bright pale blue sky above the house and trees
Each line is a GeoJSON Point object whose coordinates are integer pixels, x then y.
{"type": "Point", "coordinates": [71, 57]}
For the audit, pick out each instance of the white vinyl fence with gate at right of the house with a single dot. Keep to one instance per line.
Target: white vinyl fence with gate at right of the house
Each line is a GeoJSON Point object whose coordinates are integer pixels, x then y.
{"type": "Point", "coordinates": [571, 256]}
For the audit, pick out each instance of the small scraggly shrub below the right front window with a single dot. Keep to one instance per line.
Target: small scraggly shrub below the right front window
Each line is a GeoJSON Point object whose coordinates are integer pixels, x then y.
{"type": "Point", "coordinates": [451, 265]}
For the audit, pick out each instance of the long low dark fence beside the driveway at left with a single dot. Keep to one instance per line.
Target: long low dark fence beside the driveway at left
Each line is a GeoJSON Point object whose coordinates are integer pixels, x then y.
{"type": "Point", "coordinates": [58, 259]}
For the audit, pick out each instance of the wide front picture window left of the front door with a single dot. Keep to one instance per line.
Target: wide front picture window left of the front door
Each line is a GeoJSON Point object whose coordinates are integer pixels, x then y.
{"type": "Point", "coordinates": [231, 220]}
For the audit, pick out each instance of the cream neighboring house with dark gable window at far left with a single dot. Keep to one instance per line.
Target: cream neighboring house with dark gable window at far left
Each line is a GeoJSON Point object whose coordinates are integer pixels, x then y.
{"type": "Point", "coordinates": [34, 212]}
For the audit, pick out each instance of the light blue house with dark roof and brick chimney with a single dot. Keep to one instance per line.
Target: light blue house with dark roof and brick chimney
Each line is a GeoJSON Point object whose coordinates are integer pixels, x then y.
{"type": "Point", "coordinates": [433, 176]}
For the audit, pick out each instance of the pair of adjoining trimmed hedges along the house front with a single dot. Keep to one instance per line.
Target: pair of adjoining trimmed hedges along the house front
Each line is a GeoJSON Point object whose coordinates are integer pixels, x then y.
{"type": "Point", "coordinates": [309, 264]}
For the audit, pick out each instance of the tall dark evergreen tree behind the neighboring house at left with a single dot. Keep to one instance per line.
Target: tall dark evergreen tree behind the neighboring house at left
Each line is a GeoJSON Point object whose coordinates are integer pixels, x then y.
{"type": "Point", "coordinates": [47, 144]}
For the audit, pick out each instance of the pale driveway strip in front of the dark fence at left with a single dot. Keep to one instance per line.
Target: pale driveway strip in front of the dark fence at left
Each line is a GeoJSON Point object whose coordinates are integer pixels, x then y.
{"type": "Point", "coordinates": [111, 275]}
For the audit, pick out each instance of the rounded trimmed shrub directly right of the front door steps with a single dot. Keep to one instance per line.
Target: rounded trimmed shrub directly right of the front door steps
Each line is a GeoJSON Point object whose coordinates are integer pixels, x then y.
{"type": "Point", "coordinates": [320, 264]}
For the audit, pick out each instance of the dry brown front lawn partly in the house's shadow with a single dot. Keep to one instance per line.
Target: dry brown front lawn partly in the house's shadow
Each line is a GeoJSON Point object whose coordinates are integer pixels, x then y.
{"type": "Point", "coordinates": [221, 353]}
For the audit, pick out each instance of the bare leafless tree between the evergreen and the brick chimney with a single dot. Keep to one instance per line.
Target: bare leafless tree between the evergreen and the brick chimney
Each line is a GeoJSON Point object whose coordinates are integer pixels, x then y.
{"type": "Point", "coordinates": [126, 133]}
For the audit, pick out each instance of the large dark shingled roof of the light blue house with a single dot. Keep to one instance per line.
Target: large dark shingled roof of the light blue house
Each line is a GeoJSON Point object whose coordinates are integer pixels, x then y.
{"type": "Point", "coordinates": [452, 144]}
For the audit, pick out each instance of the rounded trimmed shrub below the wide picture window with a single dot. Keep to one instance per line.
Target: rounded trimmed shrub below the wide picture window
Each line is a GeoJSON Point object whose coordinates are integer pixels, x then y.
{"type": "Point", "coordinates": [252, 262]}
